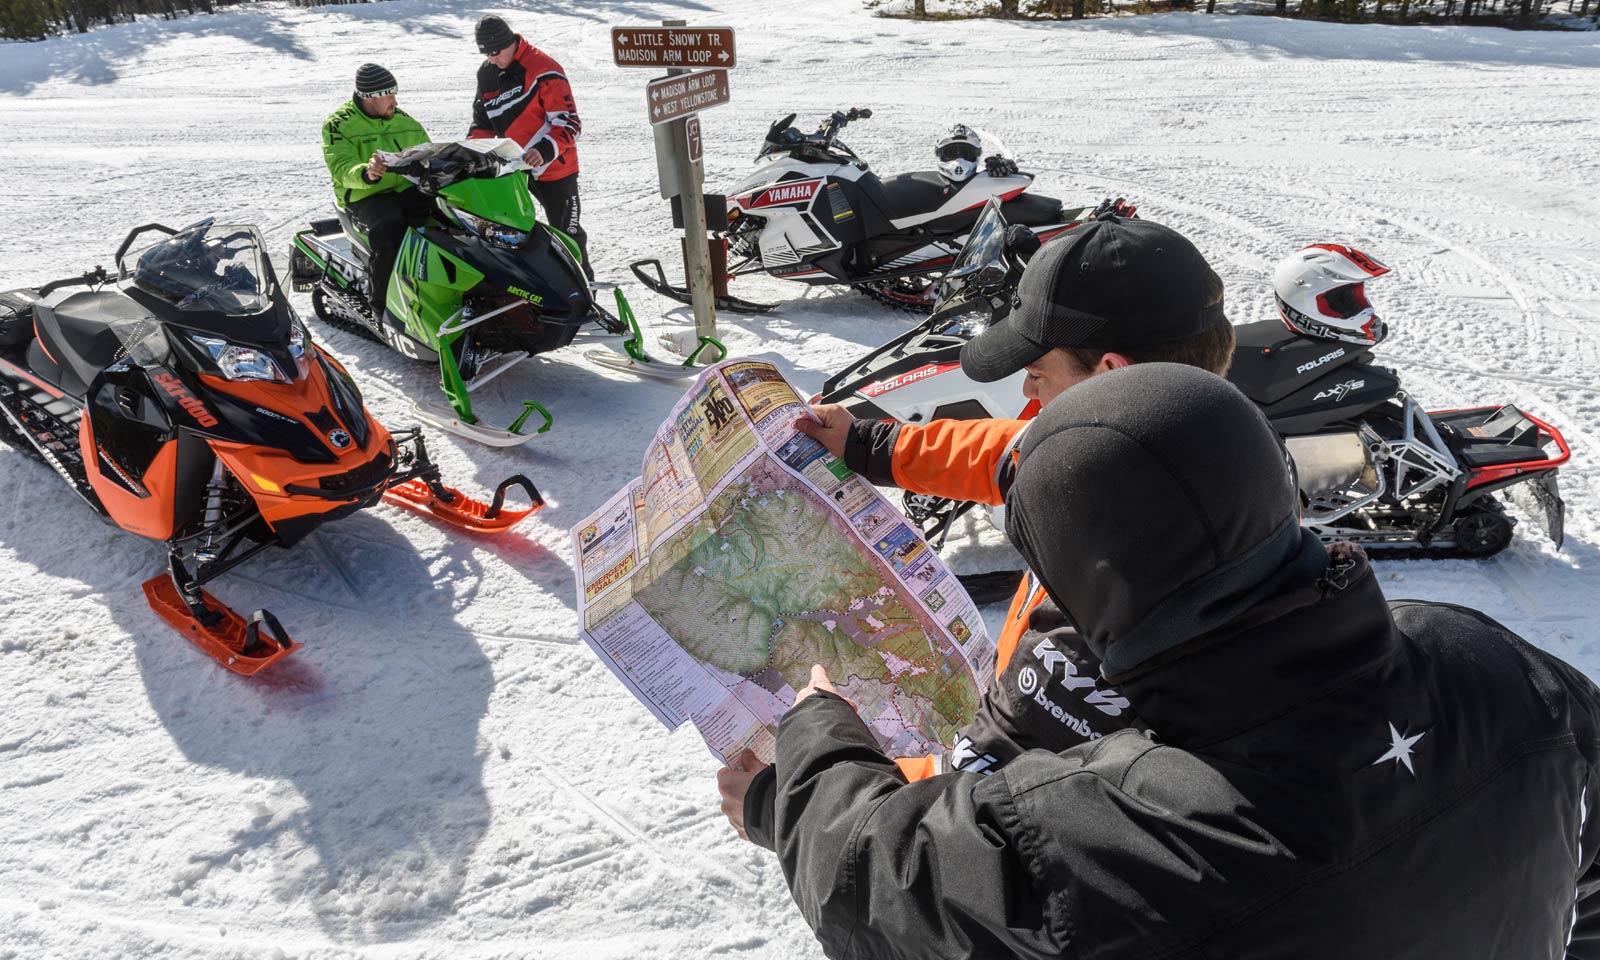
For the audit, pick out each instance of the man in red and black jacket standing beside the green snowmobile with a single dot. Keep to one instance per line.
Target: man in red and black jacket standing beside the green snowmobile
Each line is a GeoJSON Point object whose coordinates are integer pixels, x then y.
{"type": "Point", "coordinates": [524, 95]}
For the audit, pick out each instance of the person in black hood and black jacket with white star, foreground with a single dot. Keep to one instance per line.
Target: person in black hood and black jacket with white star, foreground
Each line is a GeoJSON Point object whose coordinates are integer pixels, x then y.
{"type": "Point", "coordinates": [1326, 775]}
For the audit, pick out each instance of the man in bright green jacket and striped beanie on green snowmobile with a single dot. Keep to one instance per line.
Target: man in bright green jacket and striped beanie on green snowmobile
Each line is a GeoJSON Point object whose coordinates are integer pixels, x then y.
{"type": "Point", "coordinates": [382, 204]}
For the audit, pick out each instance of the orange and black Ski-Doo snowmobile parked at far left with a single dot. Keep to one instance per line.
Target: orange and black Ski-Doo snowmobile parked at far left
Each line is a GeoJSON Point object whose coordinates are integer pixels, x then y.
{"type": "Point", "coordinates": [185, 401]}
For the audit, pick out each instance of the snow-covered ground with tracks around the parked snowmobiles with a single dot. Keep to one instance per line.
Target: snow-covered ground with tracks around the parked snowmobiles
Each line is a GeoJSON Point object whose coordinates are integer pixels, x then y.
{"type": "Point", "coordinates": [446, 770]}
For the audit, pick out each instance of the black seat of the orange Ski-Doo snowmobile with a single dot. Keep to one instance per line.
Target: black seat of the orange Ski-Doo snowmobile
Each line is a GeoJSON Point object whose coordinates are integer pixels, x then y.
{"type": "Point", "coordinates": [78, 337]}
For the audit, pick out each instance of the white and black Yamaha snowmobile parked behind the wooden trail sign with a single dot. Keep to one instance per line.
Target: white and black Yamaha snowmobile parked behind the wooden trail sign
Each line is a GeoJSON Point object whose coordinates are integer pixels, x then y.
{"type": "Point", "coordinates": [815, 214]}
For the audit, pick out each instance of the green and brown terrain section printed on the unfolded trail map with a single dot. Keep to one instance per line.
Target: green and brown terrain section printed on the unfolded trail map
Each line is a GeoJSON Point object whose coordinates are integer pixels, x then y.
{"type": "Point", "coordinates": [769, 580]}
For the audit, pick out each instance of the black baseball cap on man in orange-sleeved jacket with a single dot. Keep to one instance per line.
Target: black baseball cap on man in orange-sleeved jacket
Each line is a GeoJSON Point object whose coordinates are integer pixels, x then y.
{"type": "Point", "coordinates": [1113, 284]}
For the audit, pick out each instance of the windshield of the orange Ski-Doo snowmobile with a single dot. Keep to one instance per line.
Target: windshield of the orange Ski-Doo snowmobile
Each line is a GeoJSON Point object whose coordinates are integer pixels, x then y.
{"type": "Point", "coordinates": [217, 268]}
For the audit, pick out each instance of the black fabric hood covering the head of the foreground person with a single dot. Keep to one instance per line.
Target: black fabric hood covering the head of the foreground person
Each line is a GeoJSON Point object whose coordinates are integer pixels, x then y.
{"type": "Point", "coordinates": [1156, 505]}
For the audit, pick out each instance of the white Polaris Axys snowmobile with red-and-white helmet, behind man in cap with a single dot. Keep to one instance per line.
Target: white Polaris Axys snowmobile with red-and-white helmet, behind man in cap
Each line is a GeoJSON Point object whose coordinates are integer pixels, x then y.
{"type": "Point", "coordinates": [1375, 468]}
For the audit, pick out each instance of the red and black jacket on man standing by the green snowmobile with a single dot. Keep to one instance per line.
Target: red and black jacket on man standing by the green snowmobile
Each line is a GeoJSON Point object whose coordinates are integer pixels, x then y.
{"type": "Point", "coordinates": [530, 102]}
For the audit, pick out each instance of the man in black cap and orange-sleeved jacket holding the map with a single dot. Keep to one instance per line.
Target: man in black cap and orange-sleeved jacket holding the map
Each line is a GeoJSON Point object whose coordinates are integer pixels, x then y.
{"type": "Point", "coordinates": [1103, 297]}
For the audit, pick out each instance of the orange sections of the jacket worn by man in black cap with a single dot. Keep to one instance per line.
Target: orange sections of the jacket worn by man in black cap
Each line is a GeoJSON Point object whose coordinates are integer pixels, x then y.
{"type": "Point", "coordinates": [962, 460]}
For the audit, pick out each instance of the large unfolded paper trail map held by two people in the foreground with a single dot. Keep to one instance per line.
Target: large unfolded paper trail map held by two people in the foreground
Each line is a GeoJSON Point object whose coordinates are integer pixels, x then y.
{"type": "Point", "coordinates": [745, 553]}
